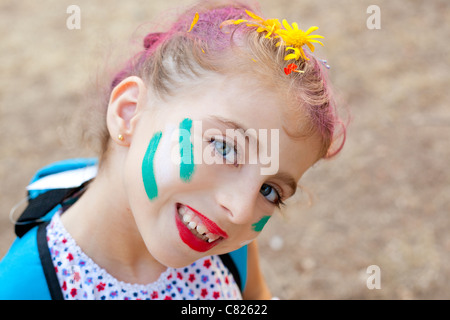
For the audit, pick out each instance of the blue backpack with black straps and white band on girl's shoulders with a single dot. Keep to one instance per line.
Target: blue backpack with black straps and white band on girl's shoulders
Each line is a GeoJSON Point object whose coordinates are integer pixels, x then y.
{"type": "Point", "coordinates": [26, 271]}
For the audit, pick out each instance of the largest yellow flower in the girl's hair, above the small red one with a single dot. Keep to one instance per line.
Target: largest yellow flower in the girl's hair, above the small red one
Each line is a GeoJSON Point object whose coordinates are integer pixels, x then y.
{"type": "Point", "coordinates": [295, 38]}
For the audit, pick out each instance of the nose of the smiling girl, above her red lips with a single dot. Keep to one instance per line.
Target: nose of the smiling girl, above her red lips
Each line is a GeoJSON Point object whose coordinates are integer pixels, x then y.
{"type": "Point", "coordinates": [239, 199]}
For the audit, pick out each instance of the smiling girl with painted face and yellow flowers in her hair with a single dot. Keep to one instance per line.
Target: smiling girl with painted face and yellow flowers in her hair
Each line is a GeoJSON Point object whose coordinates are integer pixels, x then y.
{"type": "Point", "coordinates": [181, 179]}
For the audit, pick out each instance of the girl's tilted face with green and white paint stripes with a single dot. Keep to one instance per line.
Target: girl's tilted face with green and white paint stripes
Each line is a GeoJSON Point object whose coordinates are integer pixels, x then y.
{"type": "Point", "coordinates": [208, 168]}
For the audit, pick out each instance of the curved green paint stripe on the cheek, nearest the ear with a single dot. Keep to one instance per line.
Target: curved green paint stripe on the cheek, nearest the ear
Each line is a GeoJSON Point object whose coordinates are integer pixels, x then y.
{"type": "Point", "coordinates": [148, 173]}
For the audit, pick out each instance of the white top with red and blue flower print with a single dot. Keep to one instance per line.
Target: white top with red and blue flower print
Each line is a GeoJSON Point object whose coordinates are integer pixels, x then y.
{"type": "Point", "coordinates": [81, 278]}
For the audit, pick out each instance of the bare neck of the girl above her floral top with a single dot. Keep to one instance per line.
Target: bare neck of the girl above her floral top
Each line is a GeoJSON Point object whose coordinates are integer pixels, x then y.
{"type": "Point", "coordinates": [103, 225]}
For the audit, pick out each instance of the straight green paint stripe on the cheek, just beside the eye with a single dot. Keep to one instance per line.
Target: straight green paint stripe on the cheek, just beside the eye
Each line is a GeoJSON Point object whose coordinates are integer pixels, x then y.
{"type": "Point", "coordinates": [186, 151]}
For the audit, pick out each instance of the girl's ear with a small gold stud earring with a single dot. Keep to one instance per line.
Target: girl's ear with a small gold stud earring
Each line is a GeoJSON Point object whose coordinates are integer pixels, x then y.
{"type": "Point", "coordinates": [126, 101]}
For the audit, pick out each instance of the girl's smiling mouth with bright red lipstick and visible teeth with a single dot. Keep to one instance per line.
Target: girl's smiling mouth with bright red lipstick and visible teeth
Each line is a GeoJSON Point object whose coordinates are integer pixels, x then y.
{"type": "Point", "coordinates": [196, 230]}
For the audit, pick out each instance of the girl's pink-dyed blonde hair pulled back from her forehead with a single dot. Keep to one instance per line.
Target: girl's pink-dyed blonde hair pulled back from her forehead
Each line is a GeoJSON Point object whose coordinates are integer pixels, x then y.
{"type": "Point", "coordinates": [209, 48]}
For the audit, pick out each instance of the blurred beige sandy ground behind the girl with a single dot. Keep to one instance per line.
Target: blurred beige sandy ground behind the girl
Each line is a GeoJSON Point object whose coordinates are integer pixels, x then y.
{"type": "Point", "coordinates": [385, 200]}
